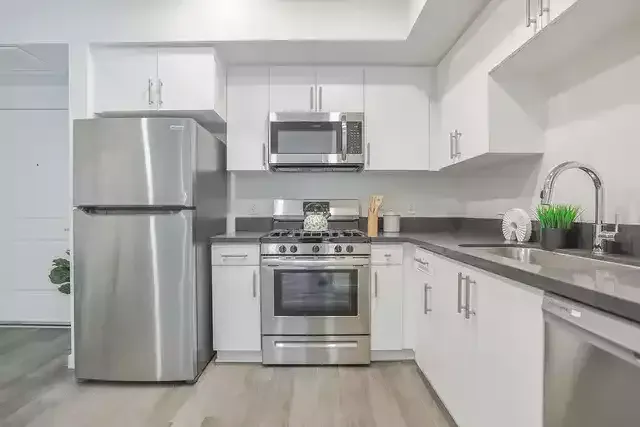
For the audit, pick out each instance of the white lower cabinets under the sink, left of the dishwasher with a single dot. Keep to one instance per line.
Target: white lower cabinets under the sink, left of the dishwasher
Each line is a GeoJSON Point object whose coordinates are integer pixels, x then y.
{"type": "Point", "coordinates": [486, 367]}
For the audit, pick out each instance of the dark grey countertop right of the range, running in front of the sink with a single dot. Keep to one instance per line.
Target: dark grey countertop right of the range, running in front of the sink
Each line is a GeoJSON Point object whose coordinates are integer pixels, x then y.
{"type": "Point", "coordinates": [615, 290]}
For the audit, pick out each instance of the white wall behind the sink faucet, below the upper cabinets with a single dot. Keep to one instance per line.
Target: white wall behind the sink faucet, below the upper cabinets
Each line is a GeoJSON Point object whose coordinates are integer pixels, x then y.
{"type": "Point", "coordinates": [594, 118]}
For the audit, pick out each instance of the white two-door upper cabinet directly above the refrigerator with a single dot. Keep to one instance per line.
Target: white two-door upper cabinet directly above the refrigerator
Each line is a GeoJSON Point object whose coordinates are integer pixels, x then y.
{"type": "Point", "coordinates": [165, 79]}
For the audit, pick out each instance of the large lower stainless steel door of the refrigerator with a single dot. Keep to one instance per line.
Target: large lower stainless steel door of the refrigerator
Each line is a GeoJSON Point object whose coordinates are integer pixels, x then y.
{"type": "Point", "coordinates": [134, 278]}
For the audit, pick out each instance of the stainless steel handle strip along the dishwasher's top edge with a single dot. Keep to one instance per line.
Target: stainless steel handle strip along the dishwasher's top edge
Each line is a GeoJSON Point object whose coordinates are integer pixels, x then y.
{"type": "Point", "coordinates": [612, 333]}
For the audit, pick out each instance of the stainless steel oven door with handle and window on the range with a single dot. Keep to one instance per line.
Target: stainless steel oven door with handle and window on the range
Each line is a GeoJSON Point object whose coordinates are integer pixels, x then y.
{"type": "Point", "coordinates": [315, 296]}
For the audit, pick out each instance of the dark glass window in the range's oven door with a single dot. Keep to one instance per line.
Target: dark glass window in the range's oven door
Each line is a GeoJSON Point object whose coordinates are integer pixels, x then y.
{"type": "Point", "coordinates": [316, 293]}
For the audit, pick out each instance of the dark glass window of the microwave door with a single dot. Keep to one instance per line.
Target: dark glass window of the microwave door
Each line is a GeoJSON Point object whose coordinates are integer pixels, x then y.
{"type": "Point", "coordinates": [305, 138]}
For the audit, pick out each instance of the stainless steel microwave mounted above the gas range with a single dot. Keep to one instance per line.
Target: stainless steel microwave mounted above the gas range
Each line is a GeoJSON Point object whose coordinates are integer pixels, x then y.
{"type": "Point", "coordinates": [314, 141]}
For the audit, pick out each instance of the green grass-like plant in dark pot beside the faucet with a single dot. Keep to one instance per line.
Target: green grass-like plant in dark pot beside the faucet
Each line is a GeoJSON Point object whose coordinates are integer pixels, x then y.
{"type": "Point", "coordinates": [555, 223]}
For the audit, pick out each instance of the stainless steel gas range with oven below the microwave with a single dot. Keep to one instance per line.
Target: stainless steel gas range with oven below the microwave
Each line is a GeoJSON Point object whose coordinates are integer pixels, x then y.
{"type": "Point", "coordinates": [315, 288]}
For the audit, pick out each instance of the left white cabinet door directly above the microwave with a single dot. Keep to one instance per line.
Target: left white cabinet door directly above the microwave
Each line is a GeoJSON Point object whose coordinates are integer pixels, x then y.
{"type": "Point", "coordinates": [292, 89]}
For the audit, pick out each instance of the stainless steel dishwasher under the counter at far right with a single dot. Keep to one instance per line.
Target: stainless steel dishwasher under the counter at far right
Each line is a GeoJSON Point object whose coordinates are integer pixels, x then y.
{"type": "Point", "coordinates": [592, 367]}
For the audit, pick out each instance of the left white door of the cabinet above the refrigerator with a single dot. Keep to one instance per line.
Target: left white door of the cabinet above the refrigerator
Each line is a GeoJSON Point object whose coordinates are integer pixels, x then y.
{"type": "Point", "coordinates": [125, 79]}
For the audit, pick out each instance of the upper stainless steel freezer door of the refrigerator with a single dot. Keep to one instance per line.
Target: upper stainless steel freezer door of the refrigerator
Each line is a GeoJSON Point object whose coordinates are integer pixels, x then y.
{"type": "Point", "coordinates": [133, 162]}
